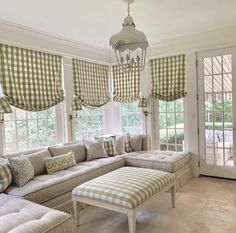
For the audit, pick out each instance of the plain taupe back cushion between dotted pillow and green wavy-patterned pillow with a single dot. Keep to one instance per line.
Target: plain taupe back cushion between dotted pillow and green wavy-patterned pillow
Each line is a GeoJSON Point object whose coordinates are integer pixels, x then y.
{"type": "Point", "coordinates": [38, 161]}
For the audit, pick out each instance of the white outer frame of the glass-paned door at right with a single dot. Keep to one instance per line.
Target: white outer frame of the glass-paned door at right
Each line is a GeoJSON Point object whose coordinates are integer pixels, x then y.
{"type": "Point", "coordinates": [205, 169]}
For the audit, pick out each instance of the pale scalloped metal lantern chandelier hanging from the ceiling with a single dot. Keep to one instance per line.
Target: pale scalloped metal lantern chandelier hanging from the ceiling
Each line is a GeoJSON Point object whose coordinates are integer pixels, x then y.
{"type": "Point", "coordinates": [130, 45]}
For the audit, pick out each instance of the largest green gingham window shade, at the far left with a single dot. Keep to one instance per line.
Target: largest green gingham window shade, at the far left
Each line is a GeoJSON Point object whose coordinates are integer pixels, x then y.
{"type": "Point", "coordinates": [30, 80]}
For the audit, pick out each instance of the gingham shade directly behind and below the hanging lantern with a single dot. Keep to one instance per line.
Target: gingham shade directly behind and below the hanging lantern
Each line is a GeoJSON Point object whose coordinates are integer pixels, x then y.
{"type": "Point", "coordinates": [126, 86]}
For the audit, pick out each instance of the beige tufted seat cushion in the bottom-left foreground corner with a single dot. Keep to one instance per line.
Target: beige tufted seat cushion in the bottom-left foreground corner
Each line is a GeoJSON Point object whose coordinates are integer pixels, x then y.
{"type": "Point", "coordinates": [21, 216]}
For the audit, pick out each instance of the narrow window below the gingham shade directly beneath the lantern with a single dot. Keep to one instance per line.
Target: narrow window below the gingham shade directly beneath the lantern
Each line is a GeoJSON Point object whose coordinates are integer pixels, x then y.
{"type": "Point", "coordinates": [131, 118]}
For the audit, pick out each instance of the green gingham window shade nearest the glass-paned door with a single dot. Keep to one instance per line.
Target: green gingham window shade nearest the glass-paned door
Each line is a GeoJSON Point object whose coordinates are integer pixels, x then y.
{"type": "Point", "coordinates": [168, 78]}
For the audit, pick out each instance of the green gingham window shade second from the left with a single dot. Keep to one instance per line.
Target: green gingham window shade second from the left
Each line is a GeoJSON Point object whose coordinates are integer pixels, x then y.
{"type": "Point", "coordinates": [91, 84]}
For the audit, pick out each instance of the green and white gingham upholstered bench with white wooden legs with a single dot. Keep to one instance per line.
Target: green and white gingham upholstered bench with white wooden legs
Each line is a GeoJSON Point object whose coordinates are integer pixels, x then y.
{"type": "Point", "coordinates": [123, 190]}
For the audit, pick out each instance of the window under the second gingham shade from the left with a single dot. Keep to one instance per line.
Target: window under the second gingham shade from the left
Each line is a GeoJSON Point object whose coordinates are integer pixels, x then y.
{"type": "Point", "coordinates": [89, 123]}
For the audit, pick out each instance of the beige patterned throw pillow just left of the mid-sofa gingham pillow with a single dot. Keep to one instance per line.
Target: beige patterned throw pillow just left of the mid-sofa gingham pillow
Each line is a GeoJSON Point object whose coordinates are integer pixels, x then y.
{"type": "Point", "coordinates": [95, 149]}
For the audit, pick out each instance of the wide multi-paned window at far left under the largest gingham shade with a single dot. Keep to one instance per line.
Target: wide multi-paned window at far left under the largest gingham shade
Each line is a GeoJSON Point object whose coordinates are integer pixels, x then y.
{"type": "Point", "coordinates": [25, 130]}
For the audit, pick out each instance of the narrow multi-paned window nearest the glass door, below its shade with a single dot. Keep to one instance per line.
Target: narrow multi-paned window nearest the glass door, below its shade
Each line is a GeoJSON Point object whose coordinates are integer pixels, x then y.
{"type": "Point", "coordinates": [171, 125]}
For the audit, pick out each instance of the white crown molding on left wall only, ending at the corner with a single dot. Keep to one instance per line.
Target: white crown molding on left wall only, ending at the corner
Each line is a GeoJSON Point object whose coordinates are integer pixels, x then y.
{"type": "Point", "coordinates": [19, 35]}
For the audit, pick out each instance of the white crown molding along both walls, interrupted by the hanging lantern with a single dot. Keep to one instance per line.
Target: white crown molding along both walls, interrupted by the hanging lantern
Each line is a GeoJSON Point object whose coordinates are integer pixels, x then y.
{"type": "Point", "coordinates": [18, 35]}
